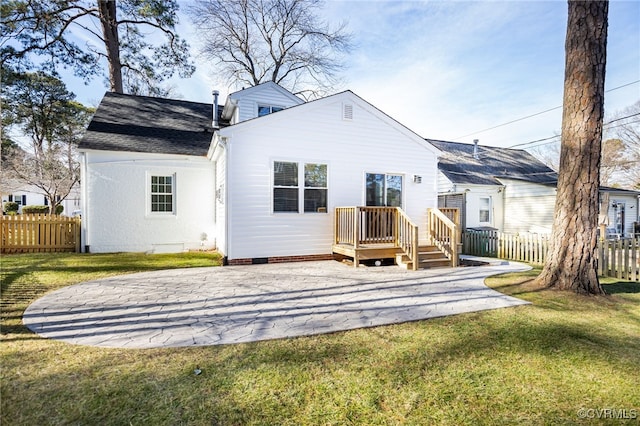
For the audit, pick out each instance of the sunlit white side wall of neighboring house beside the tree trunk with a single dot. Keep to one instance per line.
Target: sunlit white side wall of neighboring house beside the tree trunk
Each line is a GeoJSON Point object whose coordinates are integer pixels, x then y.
{"type": "Point", "coordinates": [528, 207]}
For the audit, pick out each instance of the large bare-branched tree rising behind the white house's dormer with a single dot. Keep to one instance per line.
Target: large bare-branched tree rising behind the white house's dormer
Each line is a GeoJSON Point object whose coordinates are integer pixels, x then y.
{"type": "Point", "coordinates": [284, 41]}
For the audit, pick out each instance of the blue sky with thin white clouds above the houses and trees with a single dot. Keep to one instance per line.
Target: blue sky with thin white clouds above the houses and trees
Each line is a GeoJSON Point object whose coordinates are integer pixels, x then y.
{"type": "Point", "coordinates": [449, 69]}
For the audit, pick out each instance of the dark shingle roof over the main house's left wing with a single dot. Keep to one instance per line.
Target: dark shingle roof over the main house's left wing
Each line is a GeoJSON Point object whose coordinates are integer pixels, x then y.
{"type": "Point", "coordinates": [154, 125]}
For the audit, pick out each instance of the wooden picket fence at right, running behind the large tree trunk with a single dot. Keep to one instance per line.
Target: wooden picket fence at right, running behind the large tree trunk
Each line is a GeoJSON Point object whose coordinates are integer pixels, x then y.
{"type": "Point", "coordinates": [616, 258]}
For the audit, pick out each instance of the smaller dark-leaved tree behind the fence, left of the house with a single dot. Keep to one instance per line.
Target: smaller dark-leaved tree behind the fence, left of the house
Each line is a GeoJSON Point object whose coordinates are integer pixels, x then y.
{"type": "Point", "coordinates": [41, 108]}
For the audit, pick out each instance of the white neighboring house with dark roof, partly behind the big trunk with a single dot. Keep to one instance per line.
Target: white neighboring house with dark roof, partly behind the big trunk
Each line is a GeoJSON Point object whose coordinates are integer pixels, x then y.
{"type": "Point", "coordinates": [511, 191]}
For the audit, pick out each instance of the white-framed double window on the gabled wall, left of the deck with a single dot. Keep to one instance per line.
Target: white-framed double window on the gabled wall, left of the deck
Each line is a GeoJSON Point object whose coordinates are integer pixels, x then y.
{"type": "Point", "coordinates": [288, 192]}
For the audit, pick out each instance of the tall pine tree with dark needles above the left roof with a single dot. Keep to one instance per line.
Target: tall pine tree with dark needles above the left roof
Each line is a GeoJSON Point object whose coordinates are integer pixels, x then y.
{"type": "Point", "coordinates": [45, 30]}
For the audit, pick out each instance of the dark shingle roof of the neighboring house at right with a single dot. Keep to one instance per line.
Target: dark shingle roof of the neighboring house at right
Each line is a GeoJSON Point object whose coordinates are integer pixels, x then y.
{"type": "Point", "coordinates": [459, 165]}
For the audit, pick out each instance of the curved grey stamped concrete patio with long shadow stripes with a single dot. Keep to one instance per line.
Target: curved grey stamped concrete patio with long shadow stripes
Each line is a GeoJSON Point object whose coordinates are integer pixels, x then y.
{"type": "Point", "coordinates": [226, 305]}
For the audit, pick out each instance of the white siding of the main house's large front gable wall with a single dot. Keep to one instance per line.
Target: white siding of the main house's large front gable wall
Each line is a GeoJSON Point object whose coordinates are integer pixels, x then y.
{"type": "Point", "coordinates": [317, 133]}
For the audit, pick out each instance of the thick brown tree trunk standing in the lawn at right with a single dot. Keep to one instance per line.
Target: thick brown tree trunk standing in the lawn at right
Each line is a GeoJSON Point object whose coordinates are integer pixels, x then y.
{"type": "Point", "coordinates": [571, 263]}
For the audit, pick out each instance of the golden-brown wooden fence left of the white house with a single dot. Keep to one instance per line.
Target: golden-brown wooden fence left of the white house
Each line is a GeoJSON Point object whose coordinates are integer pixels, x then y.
{"type": "Point", "coordinates": [31, 233]}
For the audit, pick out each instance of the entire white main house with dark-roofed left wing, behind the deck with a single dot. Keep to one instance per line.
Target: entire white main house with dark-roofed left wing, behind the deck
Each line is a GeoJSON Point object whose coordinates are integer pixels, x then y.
{"type": "Point", "coordinates": [259, 180]}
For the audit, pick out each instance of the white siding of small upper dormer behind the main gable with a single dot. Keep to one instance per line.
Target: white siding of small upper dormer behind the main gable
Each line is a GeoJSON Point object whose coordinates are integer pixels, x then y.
{"type": "Point", "coordinates": [266, 94]}
